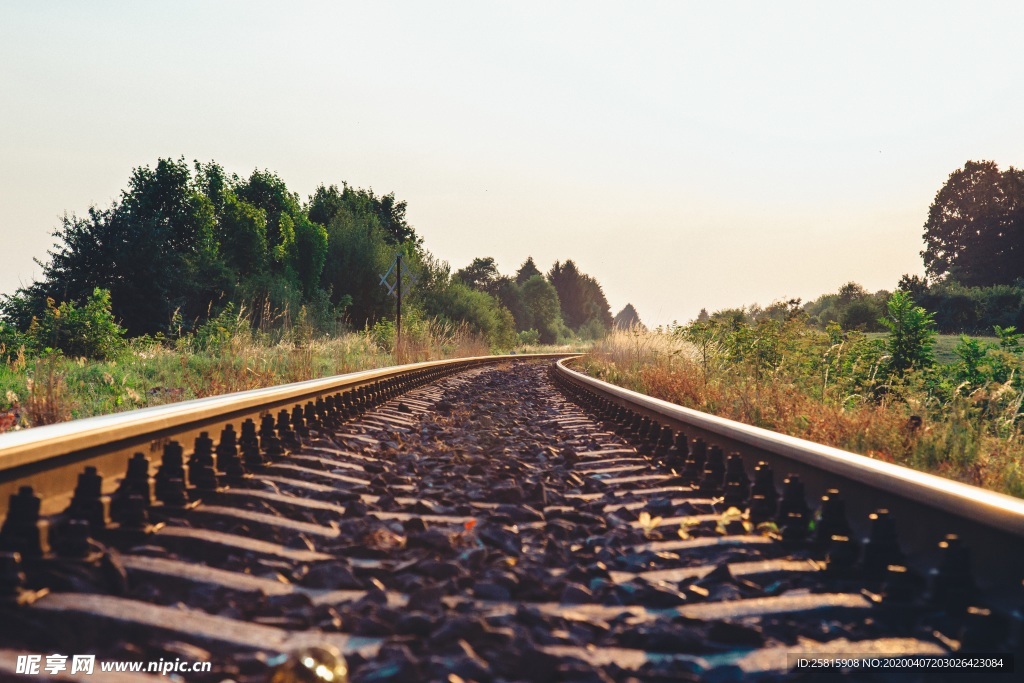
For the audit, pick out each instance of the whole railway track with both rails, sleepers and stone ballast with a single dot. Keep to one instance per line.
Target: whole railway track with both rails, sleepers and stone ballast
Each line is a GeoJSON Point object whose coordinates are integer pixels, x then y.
{"type": "Point", "coordinates": [496, 520]}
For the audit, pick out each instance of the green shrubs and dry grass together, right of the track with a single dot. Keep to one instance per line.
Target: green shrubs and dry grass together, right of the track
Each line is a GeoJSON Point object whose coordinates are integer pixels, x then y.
{"type": "Point", "coordinates": [960, 420]}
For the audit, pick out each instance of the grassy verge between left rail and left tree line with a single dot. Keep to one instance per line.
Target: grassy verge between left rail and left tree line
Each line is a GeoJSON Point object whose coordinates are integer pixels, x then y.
{"type": "Point", "coordinates": [224, 357]}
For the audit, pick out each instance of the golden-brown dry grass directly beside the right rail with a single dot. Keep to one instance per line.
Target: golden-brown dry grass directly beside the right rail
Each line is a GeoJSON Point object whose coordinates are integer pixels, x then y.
{"type": "Point", "coordinates": [972, 439]}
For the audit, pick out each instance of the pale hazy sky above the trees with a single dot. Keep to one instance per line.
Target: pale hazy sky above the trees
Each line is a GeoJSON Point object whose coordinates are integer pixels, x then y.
{"type": "Point", "coordinates": [687, 155]}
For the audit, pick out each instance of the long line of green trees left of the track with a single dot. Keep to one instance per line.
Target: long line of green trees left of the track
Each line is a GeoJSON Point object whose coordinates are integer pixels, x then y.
{"type": "Point", "coordinates": [185, 243]}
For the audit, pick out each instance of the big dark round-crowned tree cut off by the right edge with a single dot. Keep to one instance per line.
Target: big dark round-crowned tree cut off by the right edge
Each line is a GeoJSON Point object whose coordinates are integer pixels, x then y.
{"type": "Point", "coordinates": [975, 228]}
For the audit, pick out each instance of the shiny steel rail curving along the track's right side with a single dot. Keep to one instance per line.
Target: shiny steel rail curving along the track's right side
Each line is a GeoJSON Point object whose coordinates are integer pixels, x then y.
{"type": "Point", "coordinates": [927, 507]}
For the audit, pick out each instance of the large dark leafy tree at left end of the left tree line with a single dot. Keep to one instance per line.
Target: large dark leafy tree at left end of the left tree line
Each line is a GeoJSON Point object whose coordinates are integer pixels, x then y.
{"type": "Point", "coordinates": [155, 251]}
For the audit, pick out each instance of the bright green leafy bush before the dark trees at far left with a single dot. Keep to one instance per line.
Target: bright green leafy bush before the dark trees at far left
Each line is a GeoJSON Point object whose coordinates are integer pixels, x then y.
{"type": "Point", "coordinates": [90, 331]}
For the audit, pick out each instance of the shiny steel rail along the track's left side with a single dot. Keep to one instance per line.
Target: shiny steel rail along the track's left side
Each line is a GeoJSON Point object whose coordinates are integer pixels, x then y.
{"type": "Point", "coordinates": [50, 458]}
